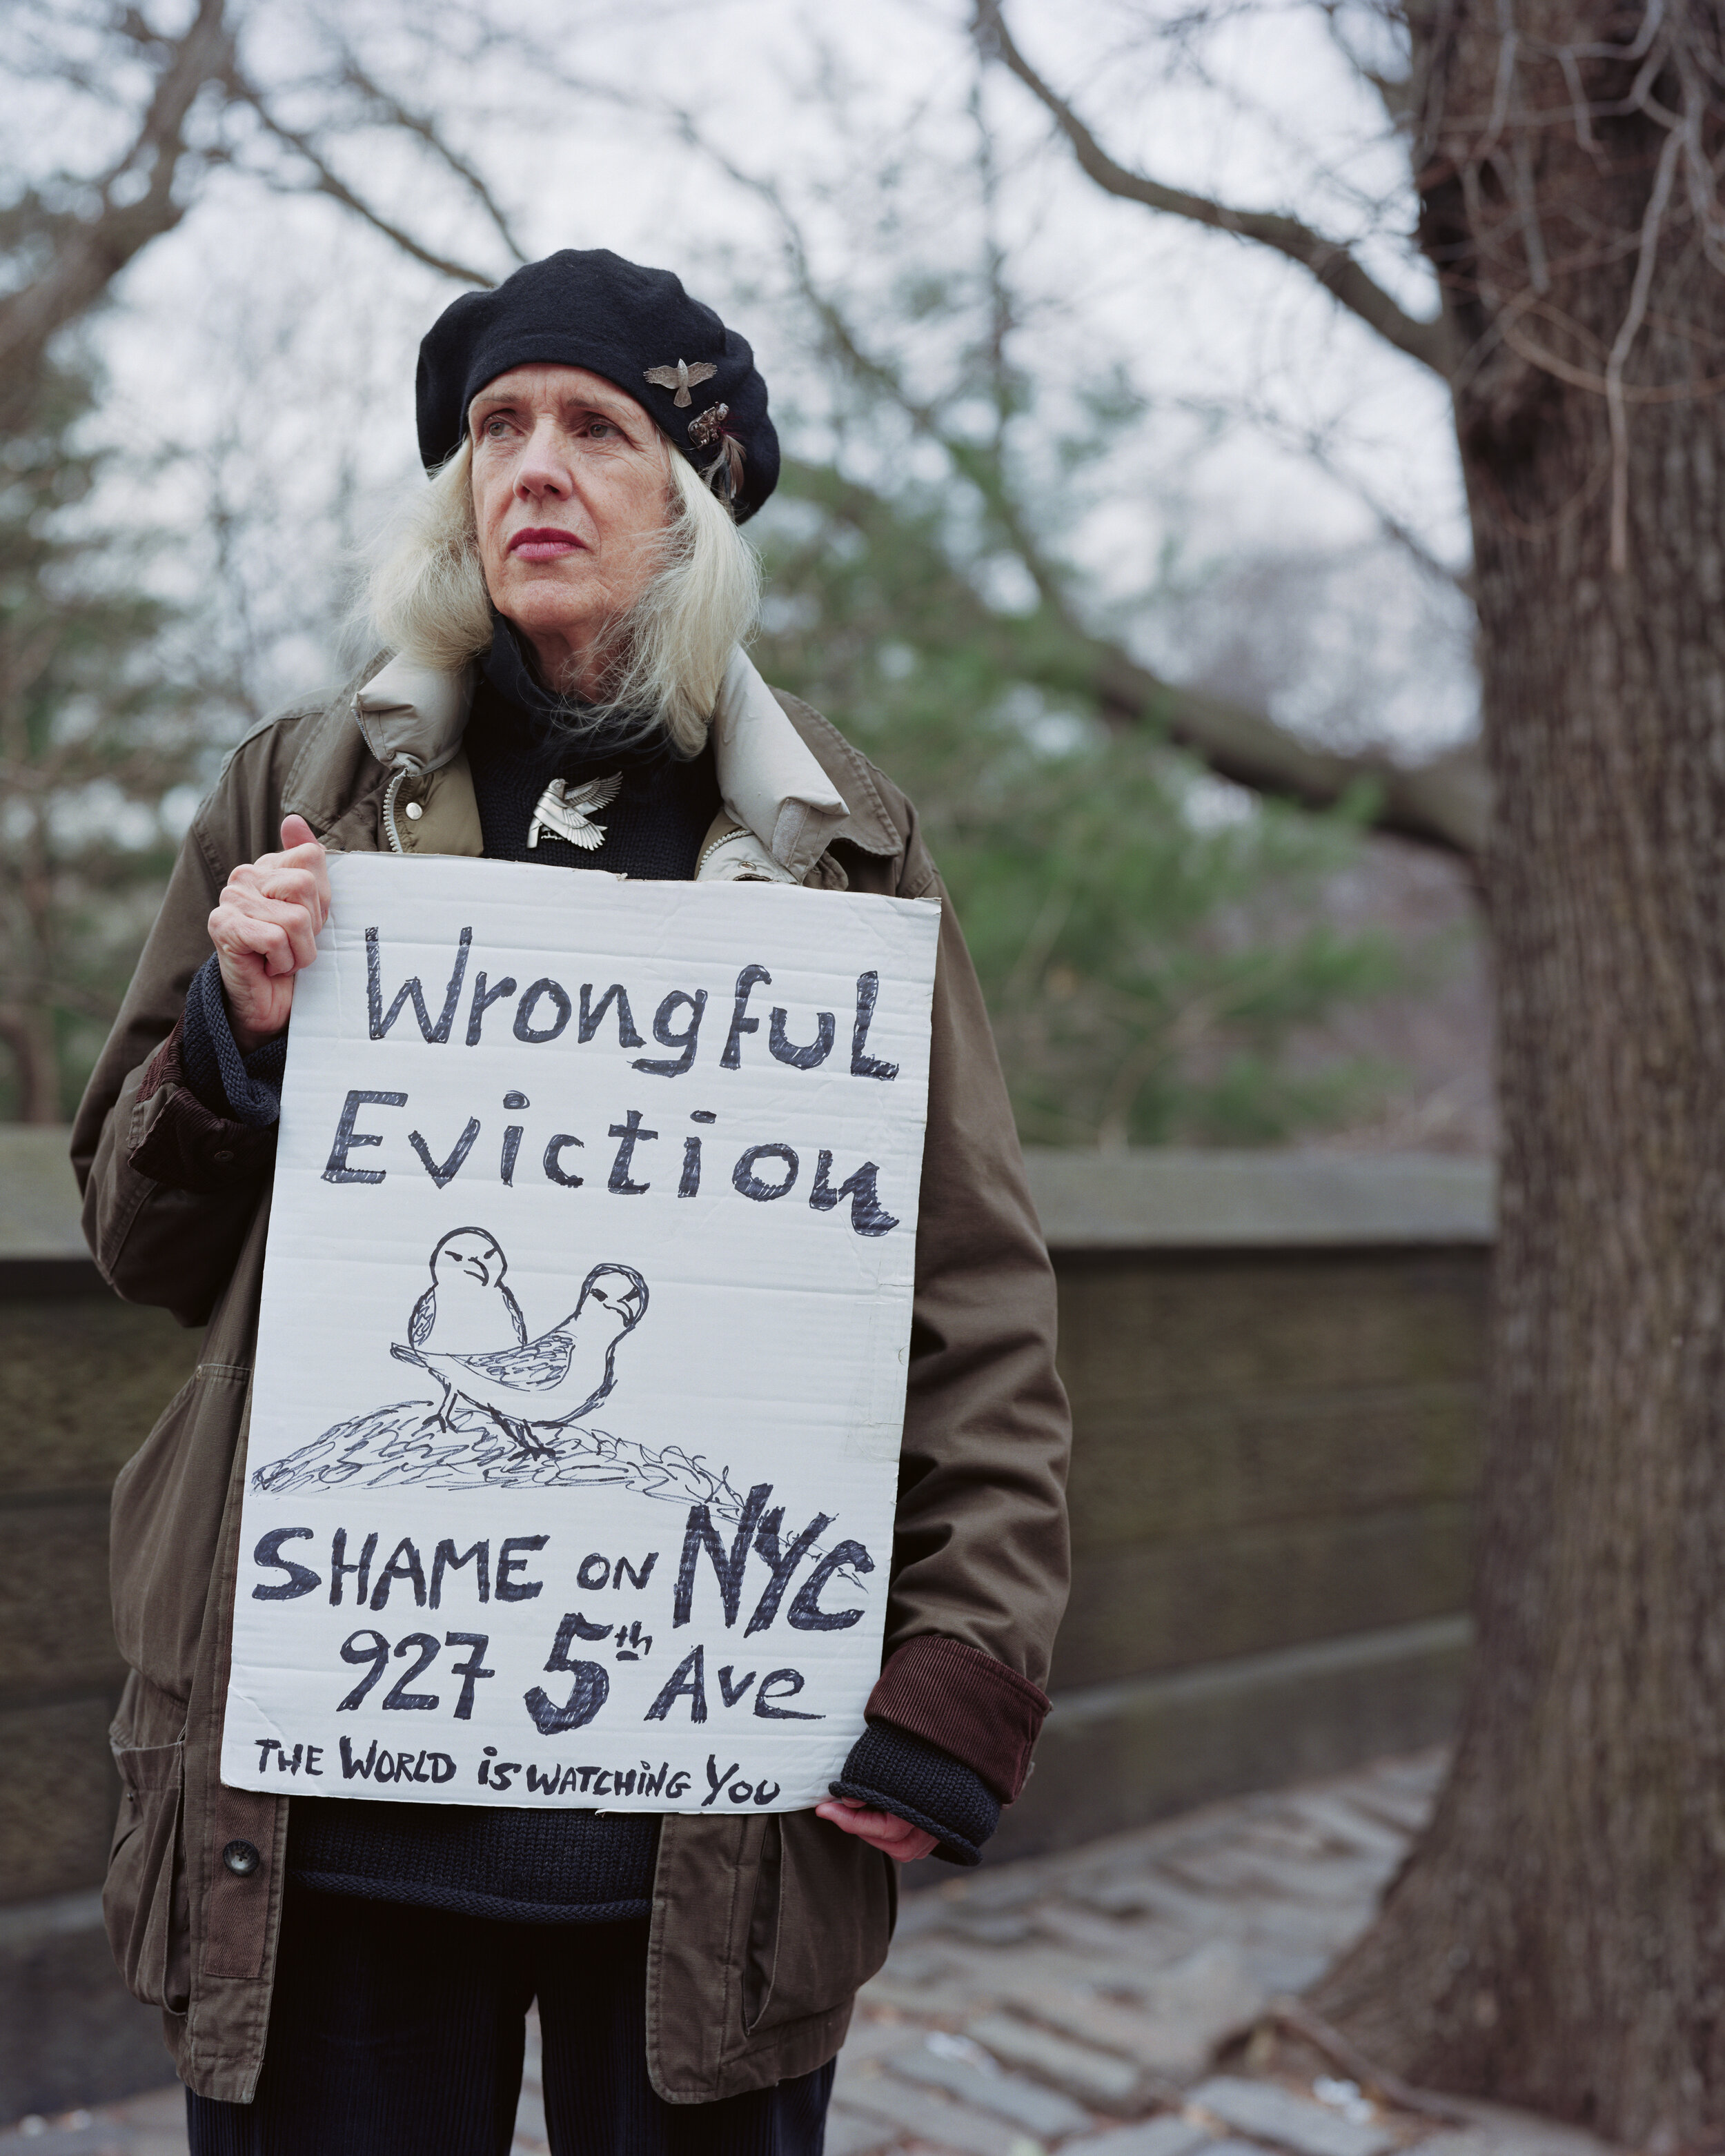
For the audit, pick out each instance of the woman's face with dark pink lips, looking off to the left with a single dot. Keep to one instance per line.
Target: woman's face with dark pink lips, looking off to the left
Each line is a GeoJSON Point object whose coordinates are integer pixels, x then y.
{"type": "Point", "coordinates": [572, 493]}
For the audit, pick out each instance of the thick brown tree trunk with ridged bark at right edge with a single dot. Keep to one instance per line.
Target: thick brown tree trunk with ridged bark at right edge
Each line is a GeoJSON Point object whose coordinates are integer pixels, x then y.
{"type": "Point", "coordinates": [1558, 1937]}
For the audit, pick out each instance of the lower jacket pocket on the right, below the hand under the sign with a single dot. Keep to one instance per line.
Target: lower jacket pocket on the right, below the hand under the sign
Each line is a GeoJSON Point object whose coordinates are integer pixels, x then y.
{"type": "Point", "coordinates": [820, 1922]}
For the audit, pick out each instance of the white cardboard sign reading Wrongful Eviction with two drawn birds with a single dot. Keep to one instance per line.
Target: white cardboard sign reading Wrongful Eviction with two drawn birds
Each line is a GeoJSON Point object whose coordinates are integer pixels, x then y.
{"type": "Point", "coordinates": [585, 1336]}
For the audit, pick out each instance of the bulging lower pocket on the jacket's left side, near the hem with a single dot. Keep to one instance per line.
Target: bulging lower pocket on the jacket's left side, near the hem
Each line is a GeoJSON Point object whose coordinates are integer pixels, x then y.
{"type": "Point", "coordinates": [146, 1903]}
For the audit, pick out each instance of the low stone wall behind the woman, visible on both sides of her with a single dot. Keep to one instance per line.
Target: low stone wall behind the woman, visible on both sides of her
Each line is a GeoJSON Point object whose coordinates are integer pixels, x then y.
{"type": "Point", "coordinates": [1273, 1366]}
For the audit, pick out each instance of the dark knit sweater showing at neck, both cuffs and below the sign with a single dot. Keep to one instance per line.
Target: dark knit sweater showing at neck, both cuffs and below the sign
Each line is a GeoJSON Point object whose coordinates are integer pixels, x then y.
{"type": "Point", "coordinates": [493, 1862]}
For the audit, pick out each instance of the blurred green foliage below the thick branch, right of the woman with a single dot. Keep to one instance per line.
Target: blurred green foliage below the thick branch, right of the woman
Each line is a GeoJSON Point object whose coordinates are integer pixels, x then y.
{"type": "Point", "coordinates": [1148, 939]}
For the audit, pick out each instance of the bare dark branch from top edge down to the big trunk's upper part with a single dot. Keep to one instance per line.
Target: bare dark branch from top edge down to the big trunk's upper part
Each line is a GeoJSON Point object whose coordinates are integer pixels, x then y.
{"type": "Point", "coordinates": [1331, 262]}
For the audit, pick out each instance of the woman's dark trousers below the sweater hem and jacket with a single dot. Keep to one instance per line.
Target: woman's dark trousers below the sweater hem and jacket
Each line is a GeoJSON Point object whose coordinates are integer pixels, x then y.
{"type": "Point", "coordinates": [400, 2032]}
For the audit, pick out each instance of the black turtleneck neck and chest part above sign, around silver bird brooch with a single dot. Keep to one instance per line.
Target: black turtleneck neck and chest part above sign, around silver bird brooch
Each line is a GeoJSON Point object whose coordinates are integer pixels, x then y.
{"type": "Point", "coordinates": [521, 738]}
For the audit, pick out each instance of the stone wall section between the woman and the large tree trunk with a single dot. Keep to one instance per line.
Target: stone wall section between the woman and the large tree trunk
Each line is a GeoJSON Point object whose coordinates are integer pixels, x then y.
{"type": "Point", "coordinates": [1275, 1379]}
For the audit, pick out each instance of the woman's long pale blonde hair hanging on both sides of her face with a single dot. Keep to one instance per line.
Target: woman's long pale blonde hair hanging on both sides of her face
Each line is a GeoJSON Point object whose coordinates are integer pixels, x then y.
{"type": "Point", "coordinates": [426, 598]}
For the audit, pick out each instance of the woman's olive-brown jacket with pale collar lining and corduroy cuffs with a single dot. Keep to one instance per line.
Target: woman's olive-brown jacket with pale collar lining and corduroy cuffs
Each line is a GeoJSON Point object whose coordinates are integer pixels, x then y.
{"type": "Point", "coordinates": [762, 1926]}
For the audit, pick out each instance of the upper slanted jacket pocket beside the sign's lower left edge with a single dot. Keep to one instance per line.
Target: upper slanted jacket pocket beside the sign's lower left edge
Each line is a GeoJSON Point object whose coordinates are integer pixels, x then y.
{"type": "Point", "coordinates": [167, 1521]}
